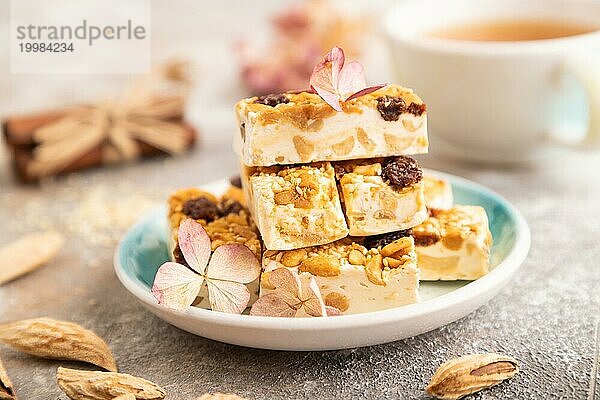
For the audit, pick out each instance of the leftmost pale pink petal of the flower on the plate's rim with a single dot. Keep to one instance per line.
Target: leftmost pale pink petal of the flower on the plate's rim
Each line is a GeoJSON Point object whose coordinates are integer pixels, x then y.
{"type": "Point", "coordinates": [176, 286]}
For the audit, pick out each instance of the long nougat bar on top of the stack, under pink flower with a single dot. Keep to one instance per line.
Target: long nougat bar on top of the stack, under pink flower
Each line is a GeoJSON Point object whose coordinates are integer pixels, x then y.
{"type": "Point", "coordinates": [291, 128]}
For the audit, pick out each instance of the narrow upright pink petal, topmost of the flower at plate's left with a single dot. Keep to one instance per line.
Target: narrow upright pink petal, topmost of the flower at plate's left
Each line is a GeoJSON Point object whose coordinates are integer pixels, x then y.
{"type": "Point", "coordinates": [194, 244]}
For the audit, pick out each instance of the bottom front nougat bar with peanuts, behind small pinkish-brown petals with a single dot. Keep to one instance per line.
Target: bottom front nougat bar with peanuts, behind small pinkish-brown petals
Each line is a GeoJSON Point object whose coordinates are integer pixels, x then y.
{"type": "Point", "coordinates": [352, 277]}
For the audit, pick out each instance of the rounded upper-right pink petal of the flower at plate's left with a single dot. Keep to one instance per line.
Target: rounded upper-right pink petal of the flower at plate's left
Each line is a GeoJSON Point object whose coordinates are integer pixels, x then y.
{"type": "Point", "coordinates": [233, 262]}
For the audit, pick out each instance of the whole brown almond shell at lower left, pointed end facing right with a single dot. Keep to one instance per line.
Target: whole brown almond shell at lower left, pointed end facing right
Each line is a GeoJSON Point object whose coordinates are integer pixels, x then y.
{"type": "Point", "coordinates": [61, 340]}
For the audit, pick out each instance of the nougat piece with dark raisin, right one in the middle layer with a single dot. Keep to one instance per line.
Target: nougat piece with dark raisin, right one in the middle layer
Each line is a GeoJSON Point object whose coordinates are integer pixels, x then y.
{"type": "Point", "coordinates": [381, 195]}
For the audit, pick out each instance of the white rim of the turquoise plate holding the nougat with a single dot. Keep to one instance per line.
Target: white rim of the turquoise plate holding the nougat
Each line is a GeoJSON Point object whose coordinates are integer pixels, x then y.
{"type": "Point", "coordinates": [503, 271]}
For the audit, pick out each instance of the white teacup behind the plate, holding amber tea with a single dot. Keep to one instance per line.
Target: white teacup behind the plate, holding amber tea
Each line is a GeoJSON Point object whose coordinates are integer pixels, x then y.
{"type": "Point", "coordinates": [500, 101]}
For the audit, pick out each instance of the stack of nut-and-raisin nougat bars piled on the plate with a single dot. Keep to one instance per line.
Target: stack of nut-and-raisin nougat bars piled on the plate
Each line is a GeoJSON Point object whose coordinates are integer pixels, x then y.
{"type": "Point", "coordinates": [337, 195]}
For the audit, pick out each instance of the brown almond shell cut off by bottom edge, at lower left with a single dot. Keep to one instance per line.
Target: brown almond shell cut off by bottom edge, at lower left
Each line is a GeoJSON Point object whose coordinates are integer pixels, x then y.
{"type": "Point", "coordinates": [96, 385]}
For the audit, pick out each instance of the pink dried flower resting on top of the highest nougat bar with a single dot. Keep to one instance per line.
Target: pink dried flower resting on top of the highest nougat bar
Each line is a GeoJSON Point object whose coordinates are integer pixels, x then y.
{"type": "Point", "coordinates": [336, 81]}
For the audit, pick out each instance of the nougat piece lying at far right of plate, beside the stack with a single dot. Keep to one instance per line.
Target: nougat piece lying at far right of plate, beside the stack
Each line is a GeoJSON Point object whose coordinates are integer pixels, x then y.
{"type": "Point", "coordinates": [454, 244]}
